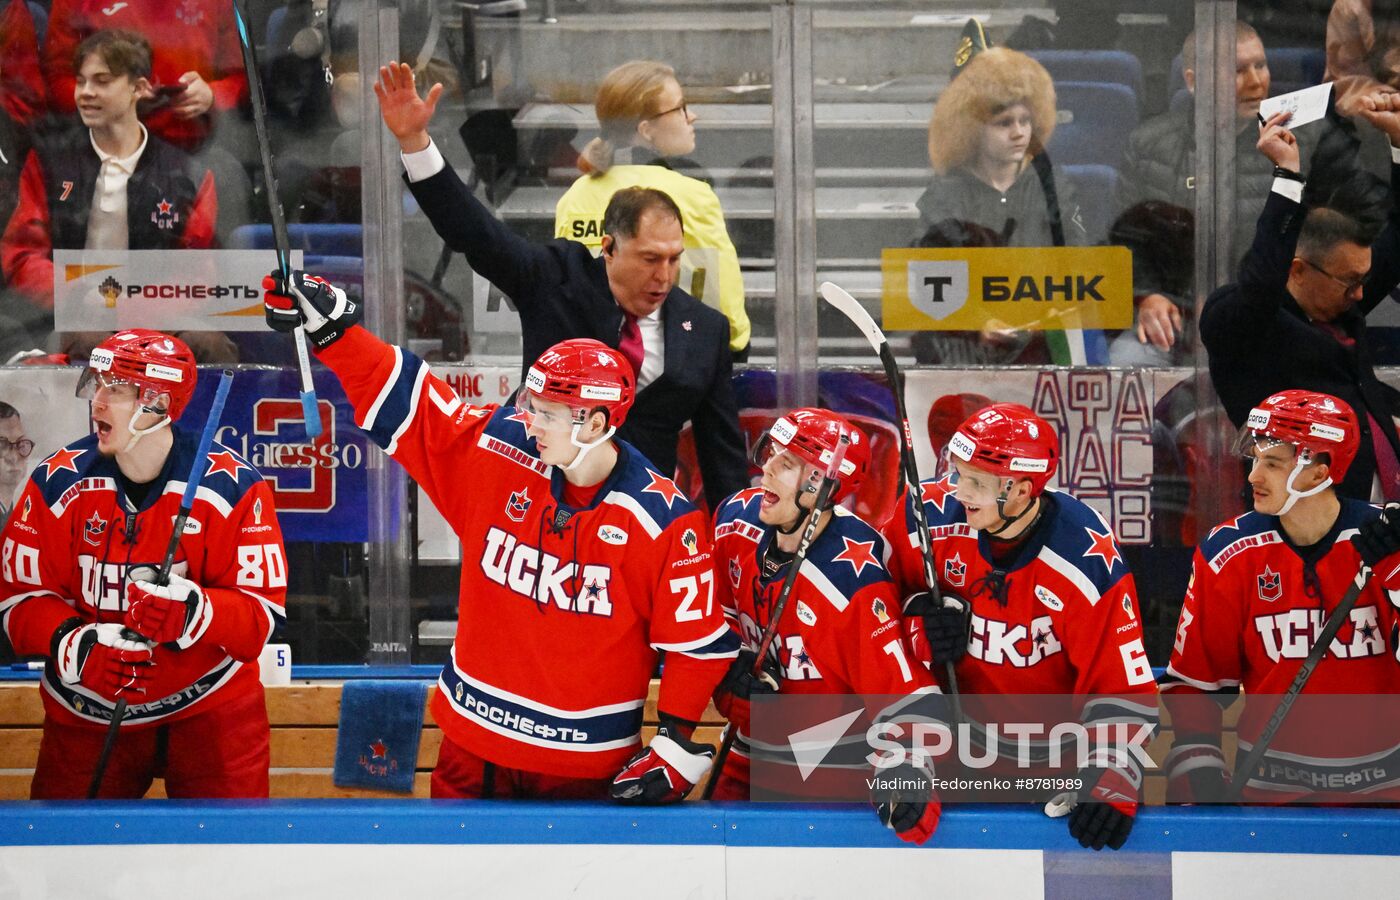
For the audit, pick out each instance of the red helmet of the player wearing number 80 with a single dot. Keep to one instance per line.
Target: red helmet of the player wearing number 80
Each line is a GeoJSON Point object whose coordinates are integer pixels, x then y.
{"type": "Point", "coordinates": [152, 362]}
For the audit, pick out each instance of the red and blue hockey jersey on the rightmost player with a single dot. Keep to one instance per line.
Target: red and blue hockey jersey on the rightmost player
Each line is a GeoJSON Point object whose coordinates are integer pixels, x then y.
{"type": "Point", "coordinates": [1252, 614]}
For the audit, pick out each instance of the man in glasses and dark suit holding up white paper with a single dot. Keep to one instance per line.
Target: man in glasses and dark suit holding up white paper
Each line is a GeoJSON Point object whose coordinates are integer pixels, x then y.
{"type": "Point", "coordinates": [1297, 318]}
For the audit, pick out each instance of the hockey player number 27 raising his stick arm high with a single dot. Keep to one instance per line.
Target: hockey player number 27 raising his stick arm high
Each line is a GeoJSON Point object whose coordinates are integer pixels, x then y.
{"type": "Point", "coordinates": [580, 562]}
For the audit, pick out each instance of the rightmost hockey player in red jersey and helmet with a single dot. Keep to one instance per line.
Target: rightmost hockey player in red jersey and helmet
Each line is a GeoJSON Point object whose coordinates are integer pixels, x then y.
{"type": "Point", "coordinates": [1262, 587]}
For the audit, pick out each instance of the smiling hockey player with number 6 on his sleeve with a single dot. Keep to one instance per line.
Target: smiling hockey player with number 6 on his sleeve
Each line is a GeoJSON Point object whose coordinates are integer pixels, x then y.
{"type": "Point", "coordinates": [1037, 597]}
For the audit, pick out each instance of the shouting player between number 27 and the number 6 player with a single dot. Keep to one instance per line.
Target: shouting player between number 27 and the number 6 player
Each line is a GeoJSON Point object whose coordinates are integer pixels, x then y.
{"type": "Point", "coordinates": [839, 632]}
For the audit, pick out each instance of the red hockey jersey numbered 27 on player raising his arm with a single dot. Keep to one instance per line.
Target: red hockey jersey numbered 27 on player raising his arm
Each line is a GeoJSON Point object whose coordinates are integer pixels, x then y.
{"type": "Point", "coordinates": [562, 611]}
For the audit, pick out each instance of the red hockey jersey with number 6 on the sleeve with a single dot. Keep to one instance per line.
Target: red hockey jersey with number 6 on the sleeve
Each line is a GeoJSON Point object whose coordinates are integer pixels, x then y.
{"type": "Point", "coordinates": [1059, 621]}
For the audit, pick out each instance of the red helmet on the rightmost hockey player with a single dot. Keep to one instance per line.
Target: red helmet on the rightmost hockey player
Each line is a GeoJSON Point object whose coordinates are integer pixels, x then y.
{"type": "Point", "coordinates": [1314, 423]}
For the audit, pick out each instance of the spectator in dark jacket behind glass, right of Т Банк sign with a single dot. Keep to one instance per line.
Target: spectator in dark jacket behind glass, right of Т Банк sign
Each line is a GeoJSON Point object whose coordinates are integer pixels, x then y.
{"type": "Point", "coordinates": [1160, 166]}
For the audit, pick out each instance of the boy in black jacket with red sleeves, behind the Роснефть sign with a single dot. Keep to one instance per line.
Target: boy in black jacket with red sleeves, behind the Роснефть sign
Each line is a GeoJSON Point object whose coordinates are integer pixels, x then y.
{"type": "Point", "coordinates": [110, 185]}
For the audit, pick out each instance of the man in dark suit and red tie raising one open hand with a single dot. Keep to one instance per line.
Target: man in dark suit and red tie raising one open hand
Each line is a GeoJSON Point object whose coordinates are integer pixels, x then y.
{"type": "Point", "coordinates": [626, 299]}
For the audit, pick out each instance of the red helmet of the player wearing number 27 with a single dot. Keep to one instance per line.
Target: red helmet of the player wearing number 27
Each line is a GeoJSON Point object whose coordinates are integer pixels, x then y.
{"type": "Point", "coordinates": [584, 374]}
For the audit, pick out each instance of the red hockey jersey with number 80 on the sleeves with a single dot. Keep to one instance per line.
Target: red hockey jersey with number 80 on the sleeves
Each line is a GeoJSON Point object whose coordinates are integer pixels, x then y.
{"type": "Point", "coordinates": [75, 535]}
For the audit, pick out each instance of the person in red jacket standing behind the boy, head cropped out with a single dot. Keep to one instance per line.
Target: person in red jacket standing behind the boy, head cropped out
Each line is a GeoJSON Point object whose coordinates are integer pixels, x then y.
{"type": "Point", "coordinates": [197, 68]}
